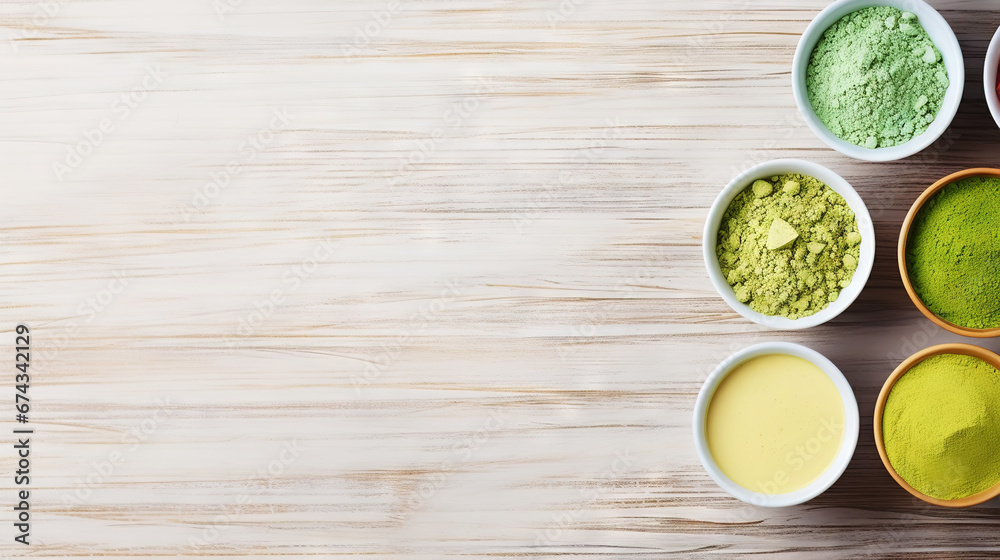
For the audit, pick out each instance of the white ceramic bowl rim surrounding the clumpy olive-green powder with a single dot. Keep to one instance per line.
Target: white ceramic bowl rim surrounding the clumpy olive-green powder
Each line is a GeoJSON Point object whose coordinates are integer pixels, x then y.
{"type": "Point", "coordinates": [832, 180]}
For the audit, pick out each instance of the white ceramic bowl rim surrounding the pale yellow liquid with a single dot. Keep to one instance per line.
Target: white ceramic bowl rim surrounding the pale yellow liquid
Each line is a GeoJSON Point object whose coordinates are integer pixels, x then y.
{"type": "Point", "coordinates": [848, 444]}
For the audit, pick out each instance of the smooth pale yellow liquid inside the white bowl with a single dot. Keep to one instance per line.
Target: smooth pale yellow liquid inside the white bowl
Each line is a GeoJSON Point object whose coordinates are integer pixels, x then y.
{"type": "Point", "coordinates": [775, 424]}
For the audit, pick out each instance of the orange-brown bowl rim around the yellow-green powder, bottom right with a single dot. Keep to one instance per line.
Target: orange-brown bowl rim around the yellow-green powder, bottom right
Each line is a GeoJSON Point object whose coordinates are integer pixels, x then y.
{"type": "Point", "coordinates": [955, 348]}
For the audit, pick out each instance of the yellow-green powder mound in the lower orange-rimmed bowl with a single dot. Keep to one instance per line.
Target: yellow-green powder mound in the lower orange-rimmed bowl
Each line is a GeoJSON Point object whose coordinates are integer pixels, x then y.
{"type": "Point", "coordinates": [941, 426]}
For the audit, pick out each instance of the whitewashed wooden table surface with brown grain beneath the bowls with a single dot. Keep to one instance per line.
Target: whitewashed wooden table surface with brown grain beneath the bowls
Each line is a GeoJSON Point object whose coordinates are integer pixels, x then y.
{"type": "Point", "coordinates": [418, 278]}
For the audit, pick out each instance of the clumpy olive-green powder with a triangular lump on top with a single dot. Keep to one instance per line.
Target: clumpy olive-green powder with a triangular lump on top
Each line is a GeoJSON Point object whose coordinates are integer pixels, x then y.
{"type": "Point", "coordinates": [788, 245]}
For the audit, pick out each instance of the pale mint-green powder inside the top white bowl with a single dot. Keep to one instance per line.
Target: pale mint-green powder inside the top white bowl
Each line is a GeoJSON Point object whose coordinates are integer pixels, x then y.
{"type": "Point", "coordinates": [875, 78]}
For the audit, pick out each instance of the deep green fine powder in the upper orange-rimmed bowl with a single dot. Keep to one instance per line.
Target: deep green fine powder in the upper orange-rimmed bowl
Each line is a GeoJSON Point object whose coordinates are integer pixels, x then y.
{"type": "Point", "coordinates": [953, 253]}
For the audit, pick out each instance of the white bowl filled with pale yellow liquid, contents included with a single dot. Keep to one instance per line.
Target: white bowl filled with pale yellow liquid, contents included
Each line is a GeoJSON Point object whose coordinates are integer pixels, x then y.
{"type": "Point", "coordinates": [776, 424]}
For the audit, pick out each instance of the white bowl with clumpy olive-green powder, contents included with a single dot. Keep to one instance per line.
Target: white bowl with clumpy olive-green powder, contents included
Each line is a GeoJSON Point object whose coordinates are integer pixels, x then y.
{"type": "Point", "coordinates": [778, 248]}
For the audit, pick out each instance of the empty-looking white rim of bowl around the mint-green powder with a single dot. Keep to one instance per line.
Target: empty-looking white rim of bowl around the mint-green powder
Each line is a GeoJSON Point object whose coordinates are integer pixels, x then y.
{"type": "Point", "coordinates": [938, 30]}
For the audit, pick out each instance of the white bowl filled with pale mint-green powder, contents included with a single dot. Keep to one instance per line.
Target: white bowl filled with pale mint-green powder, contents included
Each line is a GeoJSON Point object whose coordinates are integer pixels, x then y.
{"type": "Point", "coordinates": [878, 80]}
